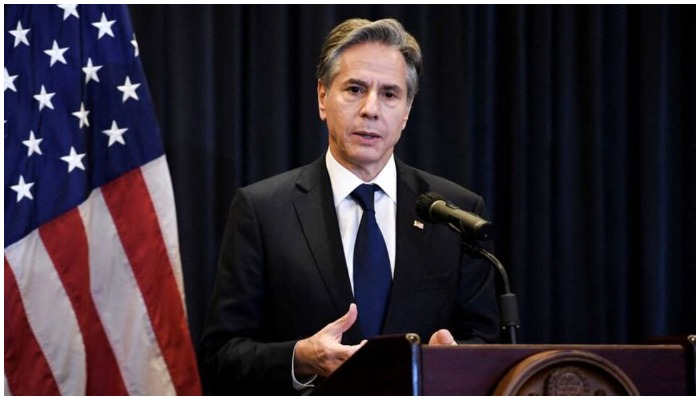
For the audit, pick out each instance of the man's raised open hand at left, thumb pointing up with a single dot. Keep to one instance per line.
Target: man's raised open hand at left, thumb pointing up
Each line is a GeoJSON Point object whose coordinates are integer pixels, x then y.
{"type": "Point", "coordinates": [322, 353]}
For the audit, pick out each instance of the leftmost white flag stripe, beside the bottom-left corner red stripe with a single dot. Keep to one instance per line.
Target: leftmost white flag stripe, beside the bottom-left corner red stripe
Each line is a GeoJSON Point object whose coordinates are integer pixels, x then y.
{"type": "Point", "coordinates": [49, 312]}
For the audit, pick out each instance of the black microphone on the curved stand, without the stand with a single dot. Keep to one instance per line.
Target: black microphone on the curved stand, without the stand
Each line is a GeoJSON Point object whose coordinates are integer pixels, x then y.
{"type": "Point", "coordinates": [432, 207]}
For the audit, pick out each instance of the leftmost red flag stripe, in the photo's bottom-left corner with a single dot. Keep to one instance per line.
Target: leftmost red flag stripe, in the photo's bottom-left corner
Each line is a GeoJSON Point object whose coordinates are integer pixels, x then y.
{"type": "Point", "coordinates": [26, 368]}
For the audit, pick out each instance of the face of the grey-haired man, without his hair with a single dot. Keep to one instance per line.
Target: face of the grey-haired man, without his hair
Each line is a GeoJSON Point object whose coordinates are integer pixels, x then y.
{"type": "Point", "coordinates": [366, 107]}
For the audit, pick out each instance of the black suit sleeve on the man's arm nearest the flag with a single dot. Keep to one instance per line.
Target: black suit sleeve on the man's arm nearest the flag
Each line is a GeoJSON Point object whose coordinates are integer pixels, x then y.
{"type": "Point", "coordinates": [234, 356]}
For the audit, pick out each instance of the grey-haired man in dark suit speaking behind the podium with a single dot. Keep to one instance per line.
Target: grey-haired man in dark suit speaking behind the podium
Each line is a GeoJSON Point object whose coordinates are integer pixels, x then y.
{"type": "Point", "coordinates": [284, 311]}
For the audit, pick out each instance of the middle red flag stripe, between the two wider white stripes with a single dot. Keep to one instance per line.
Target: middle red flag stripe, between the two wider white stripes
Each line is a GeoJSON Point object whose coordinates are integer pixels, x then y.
{"type": "Point", "coordinates": [66, 243]}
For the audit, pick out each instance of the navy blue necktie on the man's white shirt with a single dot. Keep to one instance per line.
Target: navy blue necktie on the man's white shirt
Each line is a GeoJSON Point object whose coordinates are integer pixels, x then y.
{"type": "Point", "coordinates": [371, 268]}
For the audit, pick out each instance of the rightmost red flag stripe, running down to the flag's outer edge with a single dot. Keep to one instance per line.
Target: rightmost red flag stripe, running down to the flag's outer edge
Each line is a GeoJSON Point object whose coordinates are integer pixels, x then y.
{"type": "Point", "coordinates": [134, 216]}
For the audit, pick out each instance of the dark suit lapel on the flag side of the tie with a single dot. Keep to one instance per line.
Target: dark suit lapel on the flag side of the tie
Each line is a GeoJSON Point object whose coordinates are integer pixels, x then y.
{"type": "Point", "coordinates": [316, 212]}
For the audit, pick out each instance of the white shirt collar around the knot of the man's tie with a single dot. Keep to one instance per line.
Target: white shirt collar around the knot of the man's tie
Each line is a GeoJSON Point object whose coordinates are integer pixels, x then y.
{"type": "Point", "coordinates": [344, 182]}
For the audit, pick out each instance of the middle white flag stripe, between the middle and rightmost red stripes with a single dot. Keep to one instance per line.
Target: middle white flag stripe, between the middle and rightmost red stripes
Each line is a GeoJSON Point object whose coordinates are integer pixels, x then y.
{"type": "Point", "coordinates": [120, 305]}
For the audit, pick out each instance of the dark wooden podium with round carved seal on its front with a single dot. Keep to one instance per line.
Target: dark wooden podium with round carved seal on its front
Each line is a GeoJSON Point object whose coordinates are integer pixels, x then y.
{"type": "Point", "coordinates": [401, 365]}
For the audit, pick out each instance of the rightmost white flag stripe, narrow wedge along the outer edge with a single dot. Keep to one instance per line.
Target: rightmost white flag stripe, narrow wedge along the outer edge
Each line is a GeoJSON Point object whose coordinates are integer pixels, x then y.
{"type": "Point", "coordinates": [157, 177]}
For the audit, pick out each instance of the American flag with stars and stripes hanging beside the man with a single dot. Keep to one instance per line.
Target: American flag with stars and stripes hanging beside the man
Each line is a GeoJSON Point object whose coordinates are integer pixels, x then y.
{"type": "Point", "coordinates": [94, 297]}
